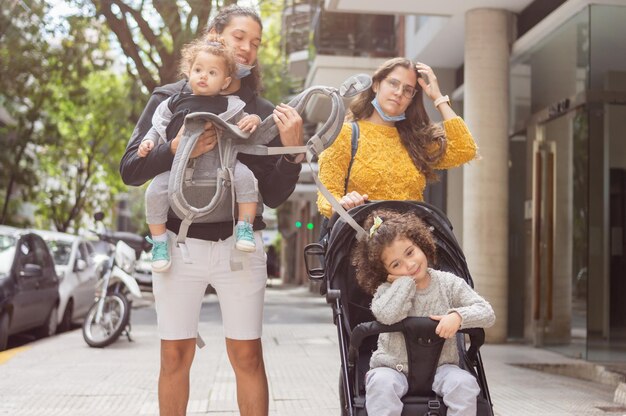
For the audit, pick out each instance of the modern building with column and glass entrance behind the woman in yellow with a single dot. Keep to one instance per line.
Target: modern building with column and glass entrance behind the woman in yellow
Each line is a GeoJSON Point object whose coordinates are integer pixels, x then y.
{"type": "Point", "coordinates": [542, 85]}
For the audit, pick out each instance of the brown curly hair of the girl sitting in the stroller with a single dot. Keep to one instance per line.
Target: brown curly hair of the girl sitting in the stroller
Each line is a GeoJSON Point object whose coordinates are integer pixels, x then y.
{"type": "Point", "coordinates": [366, 255]}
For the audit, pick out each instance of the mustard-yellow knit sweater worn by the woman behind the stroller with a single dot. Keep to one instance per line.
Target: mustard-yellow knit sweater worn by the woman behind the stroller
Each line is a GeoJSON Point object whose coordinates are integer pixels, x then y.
{"type": "Point", "coordinates": [382, 167]}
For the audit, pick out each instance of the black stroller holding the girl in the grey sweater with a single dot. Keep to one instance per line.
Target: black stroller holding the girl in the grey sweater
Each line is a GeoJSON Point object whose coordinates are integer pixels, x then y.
{"type": "Point", "coordinates": [358, 330]}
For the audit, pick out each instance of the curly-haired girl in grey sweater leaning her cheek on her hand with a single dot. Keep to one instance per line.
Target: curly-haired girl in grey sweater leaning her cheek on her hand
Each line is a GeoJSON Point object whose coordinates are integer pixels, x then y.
{"type": "Point", "coordinates": [392, 265]}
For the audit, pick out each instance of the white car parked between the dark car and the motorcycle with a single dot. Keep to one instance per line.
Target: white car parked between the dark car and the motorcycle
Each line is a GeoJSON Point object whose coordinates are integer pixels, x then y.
{"type": "Point", "coordinates": [74, 263]}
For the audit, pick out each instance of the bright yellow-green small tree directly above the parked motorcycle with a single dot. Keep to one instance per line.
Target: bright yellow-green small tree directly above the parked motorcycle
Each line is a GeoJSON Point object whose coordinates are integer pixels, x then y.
{"type": "Point", "coordinates": [82, 171]}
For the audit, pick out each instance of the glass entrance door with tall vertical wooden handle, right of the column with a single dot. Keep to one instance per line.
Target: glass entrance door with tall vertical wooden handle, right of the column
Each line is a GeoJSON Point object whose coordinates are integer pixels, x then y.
{"type": "Point", "coordinates": [558, 262]}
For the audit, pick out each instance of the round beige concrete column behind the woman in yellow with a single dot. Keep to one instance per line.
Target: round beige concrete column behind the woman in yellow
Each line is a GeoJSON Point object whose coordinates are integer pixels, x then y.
{"type": "Point", "coordinates": [485, 181]}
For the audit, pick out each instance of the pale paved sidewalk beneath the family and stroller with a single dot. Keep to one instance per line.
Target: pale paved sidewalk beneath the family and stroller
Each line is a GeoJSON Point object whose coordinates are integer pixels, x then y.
{"type": "Point", "coordinates": [63, 376]}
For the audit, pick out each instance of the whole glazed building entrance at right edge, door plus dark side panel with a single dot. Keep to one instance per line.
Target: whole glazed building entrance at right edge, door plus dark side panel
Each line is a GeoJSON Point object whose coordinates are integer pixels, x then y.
{"type": "Point", "coordinates": [576, 224]}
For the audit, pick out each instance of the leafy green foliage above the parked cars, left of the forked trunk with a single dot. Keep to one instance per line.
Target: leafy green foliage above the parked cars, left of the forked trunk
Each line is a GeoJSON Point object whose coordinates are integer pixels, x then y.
{"type": "Point", "coordinates": [69, 117]}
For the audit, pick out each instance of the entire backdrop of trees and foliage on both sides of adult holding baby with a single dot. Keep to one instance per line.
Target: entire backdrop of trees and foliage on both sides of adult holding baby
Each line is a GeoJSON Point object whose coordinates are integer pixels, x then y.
{"type": "Point", "coordinates": [66, 111]}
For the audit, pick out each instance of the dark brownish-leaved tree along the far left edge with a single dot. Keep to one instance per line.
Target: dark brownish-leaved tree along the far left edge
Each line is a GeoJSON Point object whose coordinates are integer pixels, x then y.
{"type": "Point", "coordinates": [23, 96]}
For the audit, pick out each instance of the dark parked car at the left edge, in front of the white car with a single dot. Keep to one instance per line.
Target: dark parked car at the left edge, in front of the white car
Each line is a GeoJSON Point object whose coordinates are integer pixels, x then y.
{"type": "Point", "coordinates": [29, 285]}
